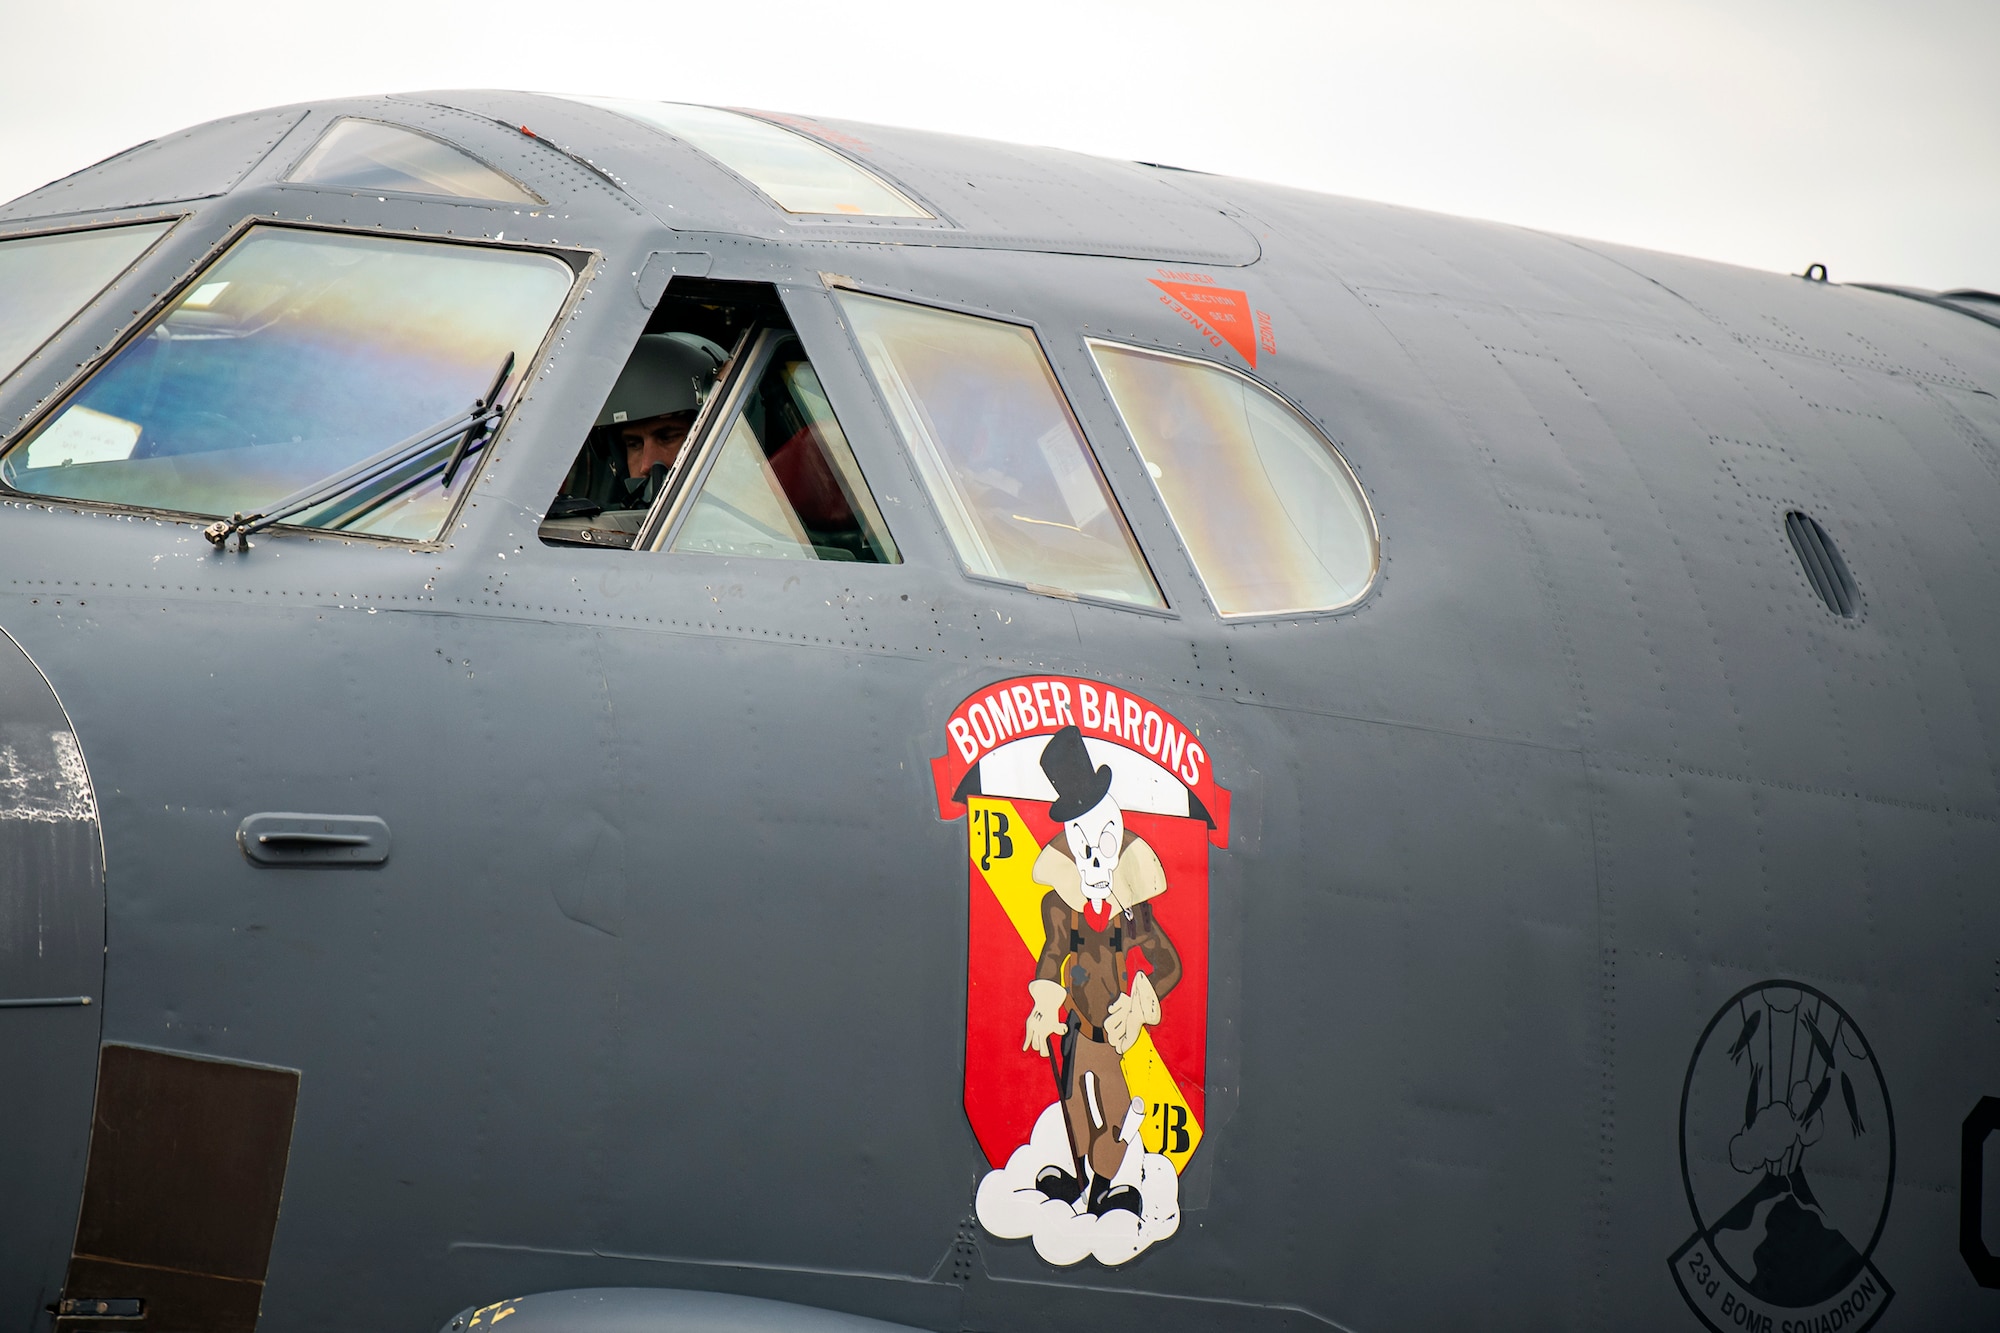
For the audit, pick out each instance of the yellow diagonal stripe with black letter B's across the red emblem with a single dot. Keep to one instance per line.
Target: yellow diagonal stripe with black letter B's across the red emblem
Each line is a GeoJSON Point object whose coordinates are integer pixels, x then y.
{"type": "Point", "coordinates": [1003, 852]}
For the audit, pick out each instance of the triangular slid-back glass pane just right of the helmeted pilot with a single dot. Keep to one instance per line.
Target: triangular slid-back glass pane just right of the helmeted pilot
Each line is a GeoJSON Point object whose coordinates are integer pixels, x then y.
{"type": "Point", "coordinates": [785, 483]}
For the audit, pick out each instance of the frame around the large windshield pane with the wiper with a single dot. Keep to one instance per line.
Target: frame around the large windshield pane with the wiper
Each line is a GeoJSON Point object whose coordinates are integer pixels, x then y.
{"type": "Point", "coordinates": [583, 265]}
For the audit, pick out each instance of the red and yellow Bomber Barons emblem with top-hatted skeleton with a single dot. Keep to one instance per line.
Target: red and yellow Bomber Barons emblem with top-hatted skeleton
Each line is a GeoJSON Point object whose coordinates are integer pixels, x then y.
{"type": "Point", "coordinates": [1089, 822]}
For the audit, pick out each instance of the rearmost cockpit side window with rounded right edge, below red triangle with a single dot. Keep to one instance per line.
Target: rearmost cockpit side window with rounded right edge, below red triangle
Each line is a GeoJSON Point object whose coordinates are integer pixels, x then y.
{"type": "Point", "coordinates": [1263, 501]}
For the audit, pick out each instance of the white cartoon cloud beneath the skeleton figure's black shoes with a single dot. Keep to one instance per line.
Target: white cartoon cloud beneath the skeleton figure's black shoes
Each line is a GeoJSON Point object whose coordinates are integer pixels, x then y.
{"type": "Point", "coordinates": [1011, 1206]}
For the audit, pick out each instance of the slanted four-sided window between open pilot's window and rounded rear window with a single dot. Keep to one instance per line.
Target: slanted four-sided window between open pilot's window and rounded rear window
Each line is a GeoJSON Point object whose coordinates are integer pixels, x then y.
{"type": "Point", "coordinates": [999, 451]}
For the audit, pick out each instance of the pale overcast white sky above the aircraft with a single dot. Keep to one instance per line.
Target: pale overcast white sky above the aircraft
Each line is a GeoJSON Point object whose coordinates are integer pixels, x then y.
{"type": "Point", "coordinates": [1767, 133]}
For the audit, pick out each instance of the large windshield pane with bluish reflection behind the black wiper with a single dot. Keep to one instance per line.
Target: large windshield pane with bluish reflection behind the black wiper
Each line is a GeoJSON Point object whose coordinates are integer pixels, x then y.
{"type": "Point", "coordinates": [293, 359]}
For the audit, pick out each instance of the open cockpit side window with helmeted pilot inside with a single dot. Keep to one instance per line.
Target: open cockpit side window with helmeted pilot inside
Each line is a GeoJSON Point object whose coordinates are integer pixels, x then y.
{"type": "Point", "coordinates": [719, 439]}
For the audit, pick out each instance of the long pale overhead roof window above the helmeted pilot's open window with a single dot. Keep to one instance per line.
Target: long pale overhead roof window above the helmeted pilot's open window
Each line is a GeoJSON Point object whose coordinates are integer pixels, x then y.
{"type": "Point", "coordinates": [797, 173]}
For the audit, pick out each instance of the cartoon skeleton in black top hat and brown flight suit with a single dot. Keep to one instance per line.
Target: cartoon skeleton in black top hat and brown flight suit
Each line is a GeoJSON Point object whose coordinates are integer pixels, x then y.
{"type": "Point", "coordinates": [1097, 912]}
